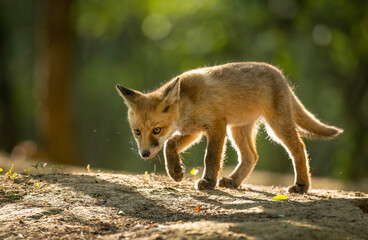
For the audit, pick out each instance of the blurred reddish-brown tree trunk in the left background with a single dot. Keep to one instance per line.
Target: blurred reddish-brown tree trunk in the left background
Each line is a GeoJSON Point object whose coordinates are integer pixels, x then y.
{"type": "Point", "coordinates": [53, 76]}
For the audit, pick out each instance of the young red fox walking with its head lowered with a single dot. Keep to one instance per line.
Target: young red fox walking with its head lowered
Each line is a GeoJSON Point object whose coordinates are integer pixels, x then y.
{"type": "Point", "coordinates": [226, 100]}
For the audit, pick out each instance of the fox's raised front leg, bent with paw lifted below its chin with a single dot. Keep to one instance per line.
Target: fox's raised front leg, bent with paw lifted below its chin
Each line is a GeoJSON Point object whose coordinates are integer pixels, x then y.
{"type": "Point", "coordinates": [173, 147]}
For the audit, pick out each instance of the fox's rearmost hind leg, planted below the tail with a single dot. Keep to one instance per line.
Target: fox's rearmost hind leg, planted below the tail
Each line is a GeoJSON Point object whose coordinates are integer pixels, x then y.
{"type": "Point", "coordinates": [287, 132]}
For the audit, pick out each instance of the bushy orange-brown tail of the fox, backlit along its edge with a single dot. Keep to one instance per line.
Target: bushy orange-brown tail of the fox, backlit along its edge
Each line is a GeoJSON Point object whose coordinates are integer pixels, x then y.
{"type": "Point", "coordinates": [310, 126]}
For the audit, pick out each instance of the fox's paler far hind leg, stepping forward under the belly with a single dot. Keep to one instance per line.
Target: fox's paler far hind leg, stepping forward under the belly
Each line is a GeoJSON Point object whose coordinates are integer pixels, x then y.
{"type": "Point", "coordinates": [243, 142]}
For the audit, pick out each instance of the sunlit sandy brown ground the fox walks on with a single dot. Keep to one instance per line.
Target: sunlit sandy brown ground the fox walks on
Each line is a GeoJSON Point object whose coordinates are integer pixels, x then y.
{"type": "Point", "coordinates": [119, 206]}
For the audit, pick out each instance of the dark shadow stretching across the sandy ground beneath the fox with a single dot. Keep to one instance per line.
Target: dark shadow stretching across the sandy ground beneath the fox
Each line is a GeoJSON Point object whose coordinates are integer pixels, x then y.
{"type": "Point", "coordinates": [156, 207]}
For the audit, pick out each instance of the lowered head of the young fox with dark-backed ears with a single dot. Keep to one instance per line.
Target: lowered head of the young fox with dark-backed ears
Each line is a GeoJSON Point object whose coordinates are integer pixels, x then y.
{"type": "Point", "coordinates": [153, 116]}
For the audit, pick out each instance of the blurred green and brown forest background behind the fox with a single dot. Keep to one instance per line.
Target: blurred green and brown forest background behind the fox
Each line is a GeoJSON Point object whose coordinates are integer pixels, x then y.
{"type": "Point", "coordinates": [60, 60]}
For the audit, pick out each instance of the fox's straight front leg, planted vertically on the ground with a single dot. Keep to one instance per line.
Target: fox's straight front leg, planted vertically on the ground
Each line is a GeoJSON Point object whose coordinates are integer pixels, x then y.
{"type": "Point", "coordinates": [214, 153]}
